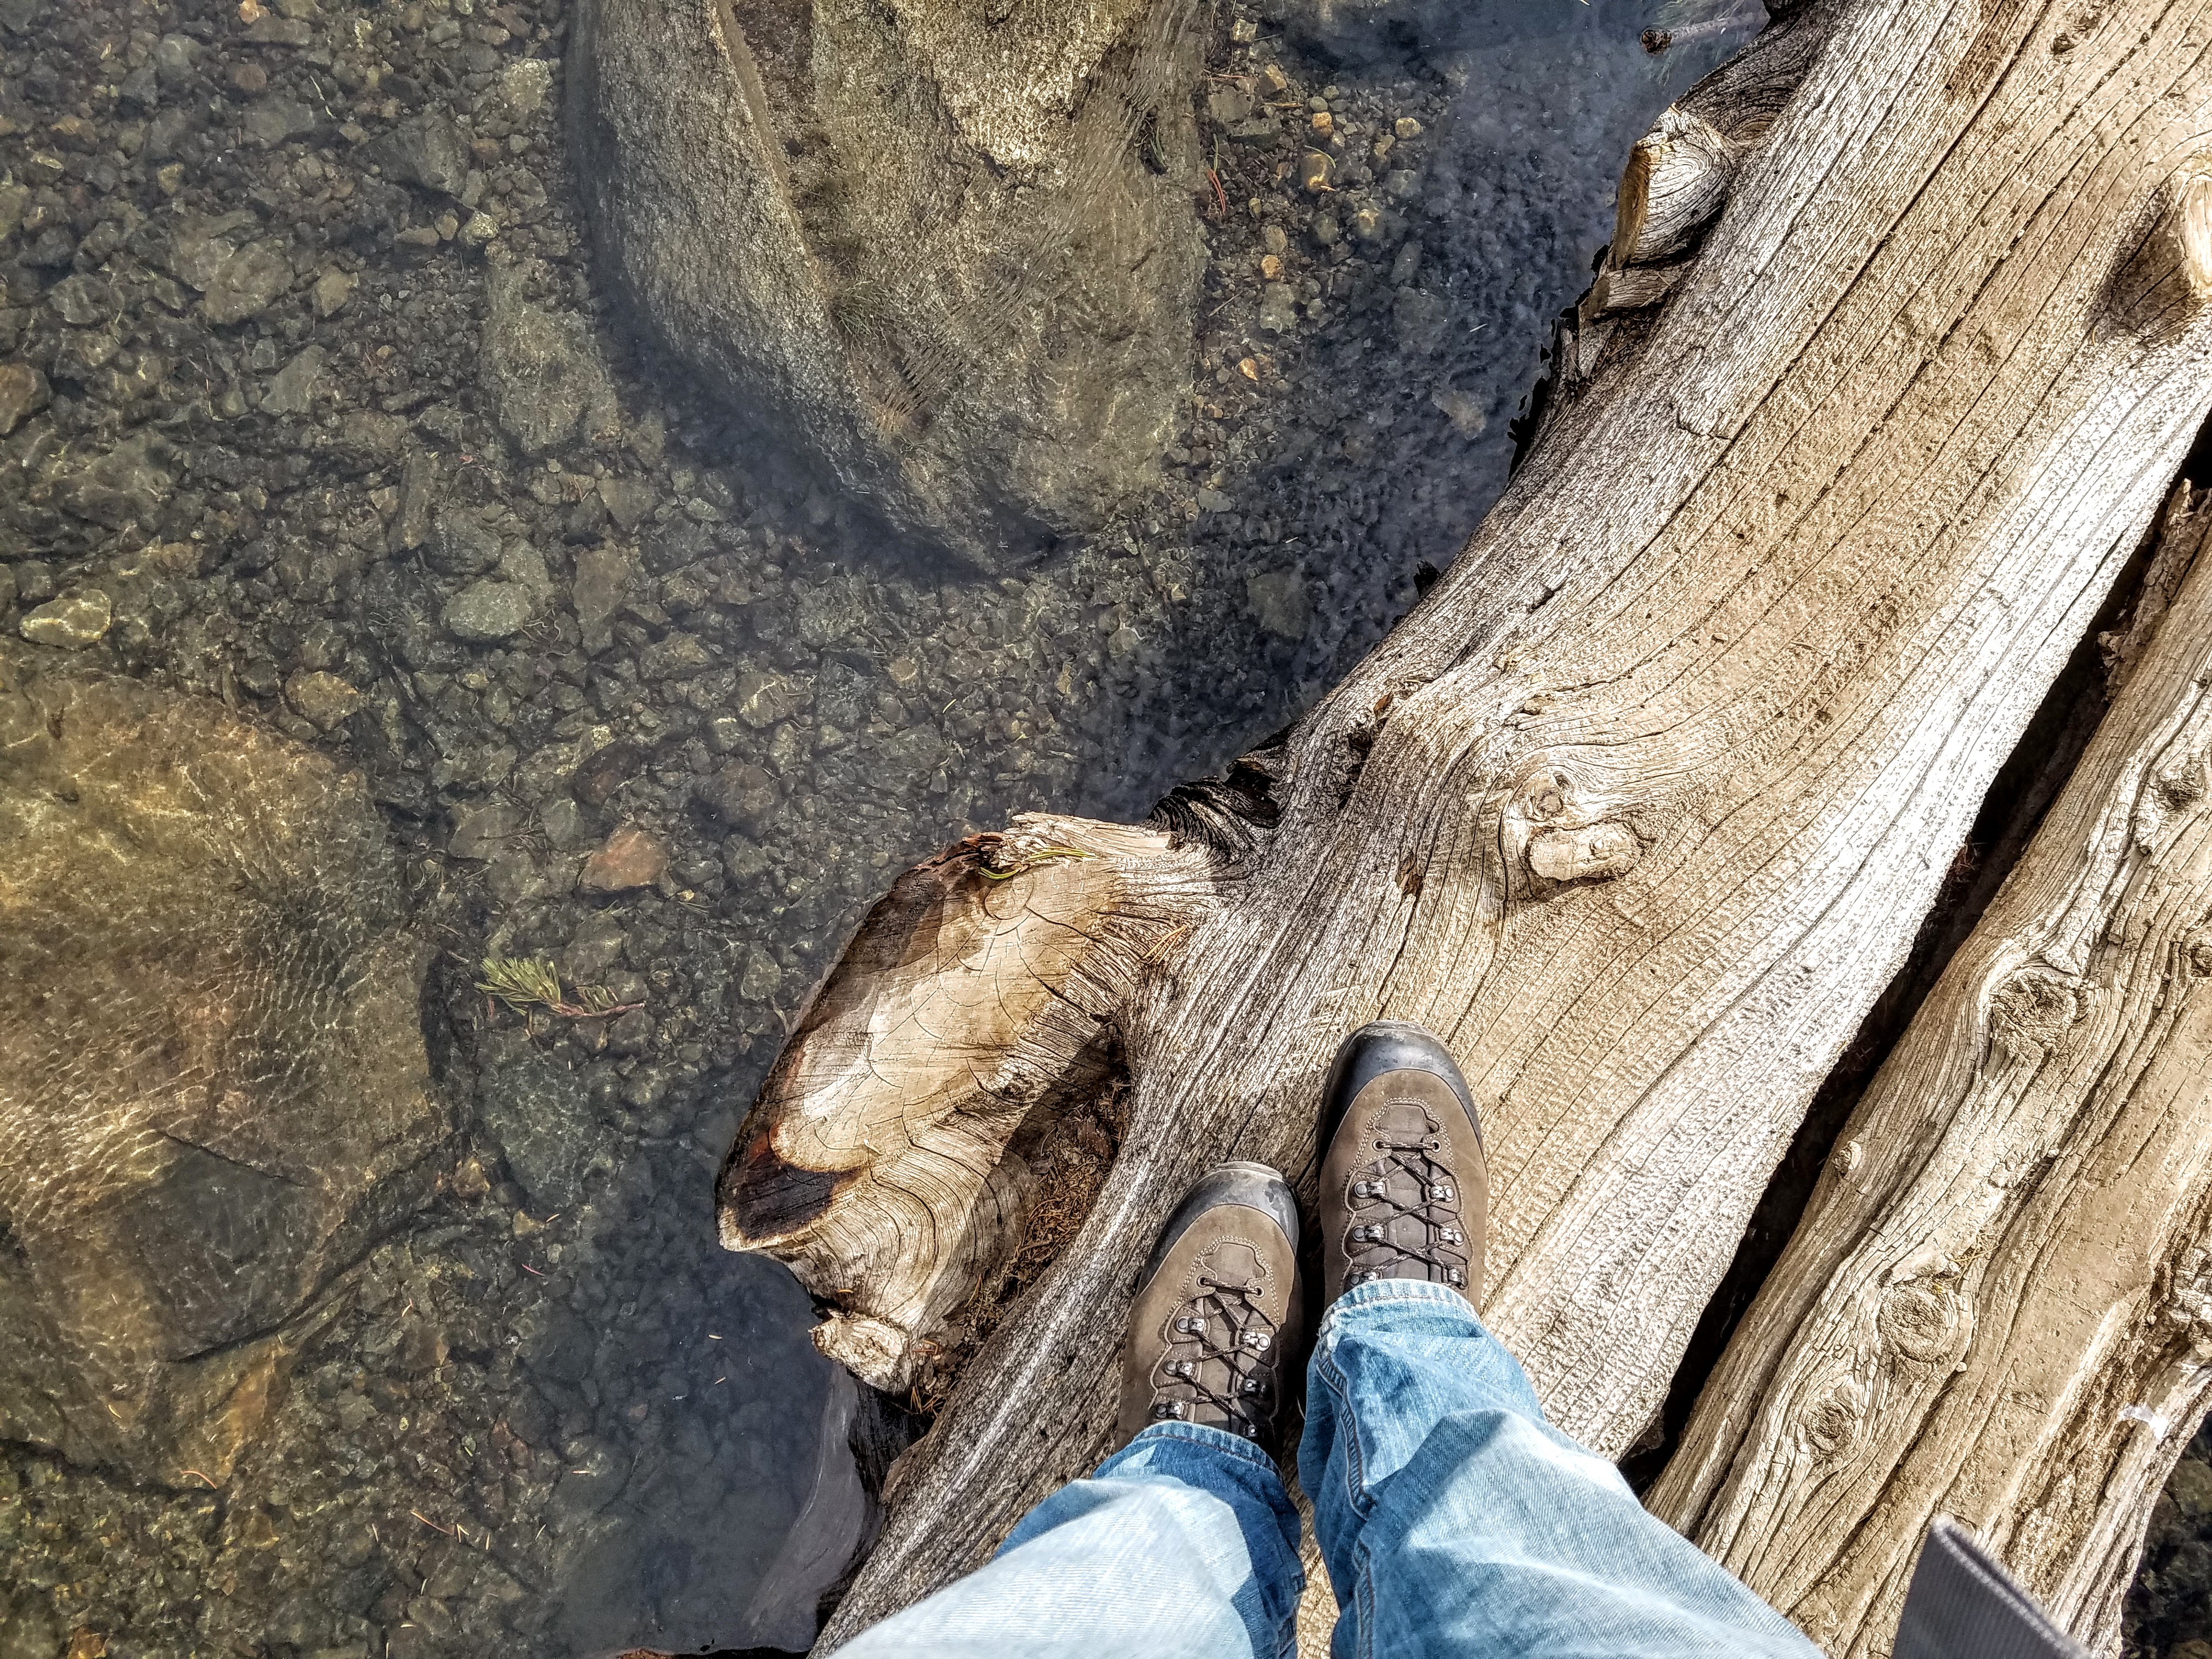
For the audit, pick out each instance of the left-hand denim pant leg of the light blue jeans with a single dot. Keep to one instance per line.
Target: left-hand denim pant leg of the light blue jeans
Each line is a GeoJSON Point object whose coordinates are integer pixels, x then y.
{"type": "Point", "coordinates": [1180, 1547]}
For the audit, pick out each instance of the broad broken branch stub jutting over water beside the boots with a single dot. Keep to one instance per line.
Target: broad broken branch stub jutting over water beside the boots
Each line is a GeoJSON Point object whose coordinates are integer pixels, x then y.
{"type": "Point", "coordinates": [977, 994]}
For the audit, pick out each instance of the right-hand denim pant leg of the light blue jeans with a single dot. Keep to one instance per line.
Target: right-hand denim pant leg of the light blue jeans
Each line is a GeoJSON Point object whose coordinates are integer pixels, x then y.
{"type": "Point", "coordinates": [1457, 1523]}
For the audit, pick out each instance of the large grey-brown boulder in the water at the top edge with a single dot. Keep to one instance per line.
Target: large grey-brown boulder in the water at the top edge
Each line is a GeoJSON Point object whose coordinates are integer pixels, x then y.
{"type": "Point", "coordinates": [946, 247]}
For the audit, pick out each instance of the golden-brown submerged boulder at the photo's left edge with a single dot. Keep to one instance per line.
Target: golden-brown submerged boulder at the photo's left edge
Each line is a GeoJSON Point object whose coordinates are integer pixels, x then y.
{"type": "Point", "coordinates": [213, 1085]}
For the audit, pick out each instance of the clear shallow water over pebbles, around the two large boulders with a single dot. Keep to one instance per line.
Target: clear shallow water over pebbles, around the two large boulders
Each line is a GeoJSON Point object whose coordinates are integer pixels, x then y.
{"type": "Point", "coordinates": [554, 1417]}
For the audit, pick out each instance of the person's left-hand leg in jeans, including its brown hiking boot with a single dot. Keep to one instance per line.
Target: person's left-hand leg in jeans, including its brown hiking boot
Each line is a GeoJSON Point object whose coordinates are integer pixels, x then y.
{"type": "Point", "coordinates": [1185, 1541]}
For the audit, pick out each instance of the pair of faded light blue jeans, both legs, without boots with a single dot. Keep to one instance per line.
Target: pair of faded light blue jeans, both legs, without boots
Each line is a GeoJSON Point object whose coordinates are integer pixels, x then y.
{"type": "Point", "coordinates": [1454, 1521]}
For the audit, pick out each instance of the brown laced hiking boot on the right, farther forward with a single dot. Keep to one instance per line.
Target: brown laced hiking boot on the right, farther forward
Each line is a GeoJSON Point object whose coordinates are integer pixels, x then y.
{"type": "Point", "coordinates": [1404, 1187]}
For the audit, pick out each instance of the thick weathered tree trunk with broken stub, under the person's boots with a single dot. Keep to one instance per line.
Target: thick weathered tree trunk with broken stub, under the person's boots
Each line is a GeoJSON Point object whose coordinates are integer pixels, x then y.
{"type": "Point", "coordinates": [1638, 808]}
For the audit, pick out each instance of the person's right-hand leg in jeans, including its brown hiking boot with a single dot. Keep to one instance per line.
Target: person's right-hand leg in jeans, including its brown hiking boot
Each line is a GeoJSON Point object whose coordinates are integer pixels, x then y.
{"type": "Point", "coordinates": [1452, 1516]}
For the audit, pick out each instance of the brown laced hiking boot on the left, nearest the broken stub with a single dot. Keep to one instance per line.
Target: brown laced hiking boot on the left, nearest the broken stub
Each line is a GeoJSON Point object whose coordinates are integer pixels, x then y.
{"type": "Point", "coordinates": [1215, 1326]}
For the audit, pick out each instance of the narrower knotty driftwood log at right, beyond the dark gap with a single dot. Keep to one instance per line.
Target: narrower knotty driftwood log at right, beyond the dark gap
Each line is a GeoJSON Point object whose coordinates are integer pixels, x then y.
{"type": "Point", "coordinates": [1999, 1304]}
